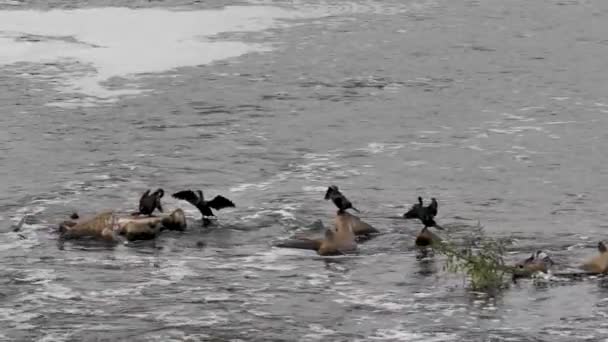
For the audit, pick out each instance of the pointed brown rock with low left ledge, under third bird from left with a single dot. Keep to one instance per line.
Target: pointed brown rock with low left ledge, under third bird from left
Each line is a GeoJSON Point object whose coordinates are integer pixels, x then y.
{"type": "Point", "coordinates": [337, 241]}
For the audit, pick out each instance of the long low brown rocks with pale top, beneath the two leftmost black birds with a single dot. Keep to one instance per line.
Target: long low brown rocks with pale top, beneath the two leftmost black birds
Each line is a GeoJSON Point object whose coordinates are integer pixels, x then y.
{"type": "Point", "coordinates": [108, 226]}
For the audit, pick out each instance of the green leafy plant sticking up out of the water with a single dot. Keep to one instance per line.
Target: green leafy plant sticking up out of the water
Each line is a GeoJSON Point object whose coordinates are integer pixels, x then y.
{"type": "Point", "coordinates": [481, 259]}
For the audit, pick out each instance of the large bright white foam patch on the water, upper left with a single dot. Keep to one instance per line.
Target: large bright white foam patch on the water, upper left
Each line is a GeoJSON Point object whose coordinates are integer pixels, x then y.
{"type": "Point", "coordinates": [123, 42]}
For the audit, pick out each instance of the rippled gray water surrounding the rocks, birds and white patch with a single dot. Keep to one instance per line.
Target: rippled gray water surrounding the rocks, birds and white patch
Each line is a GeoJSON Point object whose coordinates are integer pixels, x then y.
{"type": "Point", "coordinates": [497, 108]}
